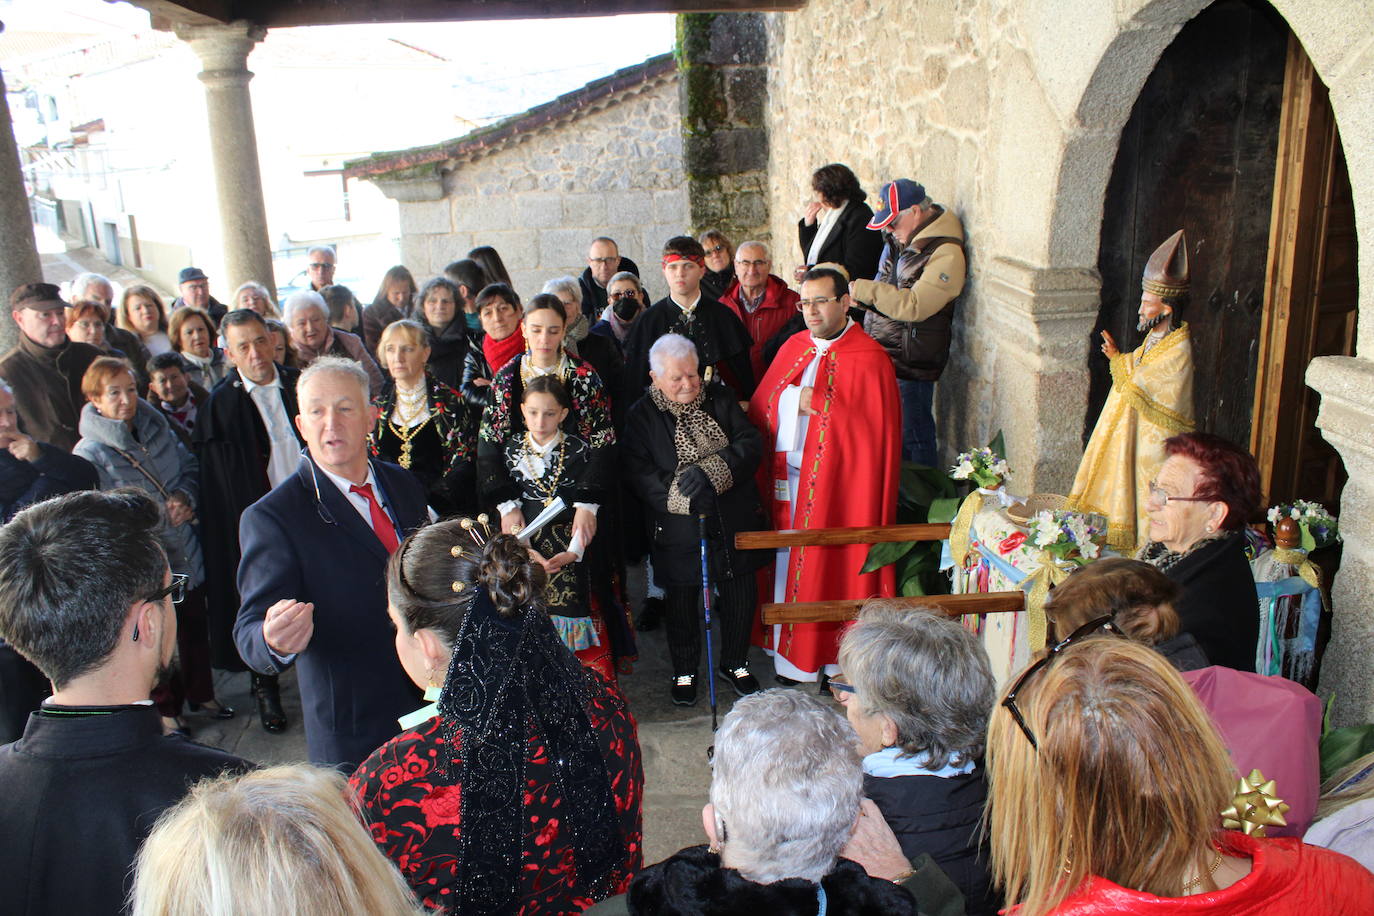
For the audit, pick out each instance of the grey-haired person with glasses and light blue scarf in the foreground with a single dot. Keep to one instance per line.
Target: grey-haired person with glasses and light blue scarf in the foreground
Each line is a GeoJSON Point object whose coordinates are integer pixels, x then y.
{"type": "Point", "coordinates": [919, 689]}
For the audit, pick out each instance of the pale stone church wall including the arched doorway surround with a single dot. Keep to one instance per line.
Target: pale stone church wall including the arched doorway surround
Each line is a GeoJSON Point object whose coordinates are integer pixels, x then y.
{"type": "Point", "coordinates": [1012, 113]}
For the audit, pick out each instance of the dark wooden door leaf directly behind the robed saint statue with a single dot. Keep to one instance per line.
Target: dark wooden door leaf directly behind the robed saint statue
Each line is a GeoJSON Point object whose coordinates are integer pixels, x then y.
{"type": "Point", "coordinates": [1199, 154]}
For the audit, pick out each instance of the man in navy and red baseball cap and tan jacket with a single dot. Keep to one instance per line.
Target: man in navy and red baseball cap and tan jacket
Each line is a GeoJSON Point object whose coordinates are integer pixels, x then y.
{"type": "Point", "coordinates": [912, 303]}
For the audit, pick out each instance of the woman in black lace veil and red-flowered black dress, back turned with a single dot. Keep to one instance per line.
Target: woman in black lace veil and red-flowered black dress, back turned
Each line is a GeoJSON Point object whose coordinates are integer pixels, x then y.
{"type": "Point", "coordinates": [520, 790]}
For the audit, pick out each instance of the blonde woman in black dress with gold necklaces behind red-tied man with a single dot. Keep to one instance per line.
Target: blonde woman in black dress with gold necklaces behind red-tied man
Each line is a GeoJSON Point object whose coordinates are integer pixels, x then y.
{"type": "Point", "coordinates": [423, 424]}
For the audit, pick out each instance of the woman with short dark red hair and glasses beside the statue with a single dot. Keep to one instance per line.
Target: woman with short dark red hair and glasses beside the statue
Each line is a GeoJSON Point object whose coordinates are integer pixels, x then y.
{"type": "Point", "coordinates": [1199, 506]}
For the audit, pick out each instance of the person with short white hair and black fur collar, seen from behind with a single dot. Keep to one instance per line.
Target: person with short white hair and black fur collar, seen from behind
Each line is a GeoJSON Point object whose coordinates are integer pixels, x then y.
{"type": "Point", "coordinates": [778, 833]}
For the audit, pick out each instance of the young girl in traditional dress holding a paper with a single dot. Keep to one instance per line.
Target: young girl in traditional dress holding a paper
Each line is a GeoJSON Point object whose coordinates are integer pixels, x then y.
{"type": "Point", "coordinates": [548, 465]}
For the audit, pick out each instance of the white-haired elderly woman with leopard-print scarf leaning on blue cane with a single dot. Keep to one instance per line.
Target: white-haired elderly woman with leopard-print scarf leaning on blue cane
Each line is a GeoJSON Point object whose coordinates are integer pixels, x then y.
{"type": "Point", "coordinates": [690, 453]}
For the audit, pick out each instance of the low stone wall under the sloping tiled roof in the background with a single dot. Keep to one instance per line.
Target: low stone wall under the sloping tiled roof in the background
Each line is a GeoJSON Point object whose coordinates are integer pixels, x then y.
{"type": "Point", "coordinates": [541, 200]}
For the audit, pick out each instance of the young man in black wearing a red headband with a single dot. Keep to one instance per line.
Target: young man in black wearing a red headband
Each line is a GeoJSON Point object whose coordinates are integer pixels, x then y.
{"type": "Point", "coordinates": [721, 337]}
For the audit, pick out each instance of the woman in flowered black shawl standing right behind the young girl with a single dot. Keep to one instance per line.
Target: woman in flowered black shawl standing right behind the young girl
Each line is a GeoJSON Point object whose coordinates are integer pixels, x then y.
{"type": "Point", "coordinates": [589, 418]}
